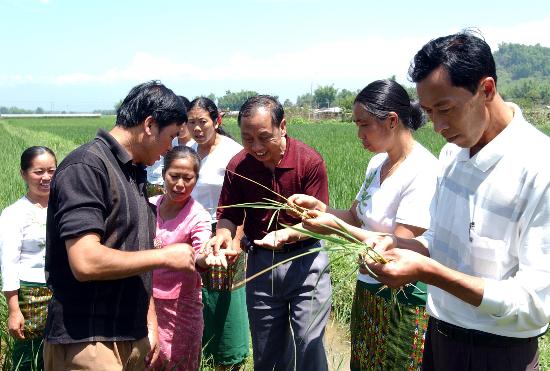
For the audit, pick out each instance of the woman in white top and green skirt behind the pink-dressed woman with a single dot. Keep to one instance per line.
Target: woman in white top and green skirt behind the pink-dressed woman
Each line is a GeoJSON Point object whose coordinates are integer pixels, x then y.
{"type": "Point", "coordinates": [225, 337]}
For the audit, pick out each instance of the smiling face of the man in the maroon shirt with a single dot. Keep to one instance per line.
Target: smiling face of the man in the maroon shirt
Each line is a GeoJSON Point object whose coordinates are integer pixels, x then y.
{"type": "Point", "coordinates": [262, 139]}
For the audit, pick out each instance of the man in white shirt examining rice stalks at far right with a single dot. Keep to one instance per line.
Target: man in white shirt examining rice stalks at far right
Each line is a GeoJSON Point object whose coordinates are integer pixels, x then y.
{"type": "Point", "coordinates": [486, 256]}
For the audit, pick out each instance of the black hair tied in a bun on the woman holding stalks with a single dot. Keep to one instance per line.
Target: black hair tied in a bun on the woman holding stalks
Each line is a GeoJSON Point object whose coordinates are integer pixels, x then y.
{"type": "Point", "coordinates": [381, 97]}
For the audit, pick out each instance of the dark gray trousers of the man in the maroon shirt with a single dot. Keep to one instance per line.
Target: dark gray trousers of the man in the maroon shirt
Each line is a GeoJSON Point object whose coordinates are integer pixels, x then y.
{"type": "Point", "coordinates": [288, 309]}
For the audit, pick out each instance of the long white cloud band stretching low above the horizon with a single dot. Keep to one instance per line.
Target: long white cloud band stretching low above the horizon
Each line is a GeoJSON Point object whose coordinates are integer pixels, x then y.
{"type": "Point", "coordinates": [363, 59]}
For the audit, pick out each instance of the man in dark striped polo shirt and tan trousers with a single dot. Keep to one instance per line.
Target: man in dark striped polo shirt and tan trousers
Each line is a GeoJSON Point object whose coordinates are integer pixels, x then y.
{"type": "Point", "coordinates": [100, 231]}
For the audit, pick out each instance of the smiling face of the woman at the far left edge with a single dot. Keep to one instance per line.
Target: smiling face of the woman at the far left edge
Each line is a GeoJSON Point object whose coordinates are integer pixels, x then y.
{"type": "Point", "coordinates": [38, 177]}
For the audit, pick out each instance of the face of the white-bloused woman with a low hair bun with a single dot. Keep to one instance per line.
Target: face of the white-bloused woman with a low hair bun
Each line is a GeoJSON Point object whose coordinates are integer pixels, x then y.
{"type": "Point", "coordinates": [374, 133]}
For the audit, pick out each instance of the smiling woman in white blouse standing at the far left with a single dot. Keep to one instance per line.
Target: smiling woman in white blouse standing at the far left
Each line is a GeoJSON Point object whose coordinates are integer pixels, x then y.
{"type": "Point", "coordinates": [22, 249]}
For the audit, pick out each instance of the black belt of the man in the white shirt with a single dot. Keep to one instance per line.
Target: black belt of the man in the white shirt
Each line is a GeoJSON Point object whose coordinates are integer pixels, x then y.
{"type": "Point", "coordinates": [475, 337]}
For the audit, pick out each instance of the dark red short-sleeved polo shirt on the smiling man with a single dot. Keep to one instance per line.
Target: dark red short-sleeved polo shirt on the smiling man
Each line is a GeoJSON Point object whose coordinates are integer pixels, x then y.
{"type": "Point", "coordinates": [301, 170]}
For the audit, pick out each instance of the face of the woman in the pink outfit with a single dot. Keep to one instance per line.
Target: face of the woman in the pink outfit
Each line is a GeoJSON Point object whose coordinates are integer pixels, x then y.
{"type": "Point", "coordinates": [180, 179]}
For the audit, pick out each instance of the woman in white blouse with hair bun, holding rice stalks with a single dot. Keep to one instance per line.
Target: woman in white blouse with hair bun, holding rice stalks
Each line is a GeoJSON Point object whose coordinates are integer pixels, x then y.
{"type": "Point", "coordinates": [394, 198]}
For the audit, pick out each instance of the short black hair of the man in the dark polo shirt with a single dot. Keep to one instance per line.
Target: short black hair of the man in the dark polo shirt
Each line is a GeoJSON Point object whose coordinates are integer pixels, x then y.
{"type": "Point", "coordinates": [151, 99]}
